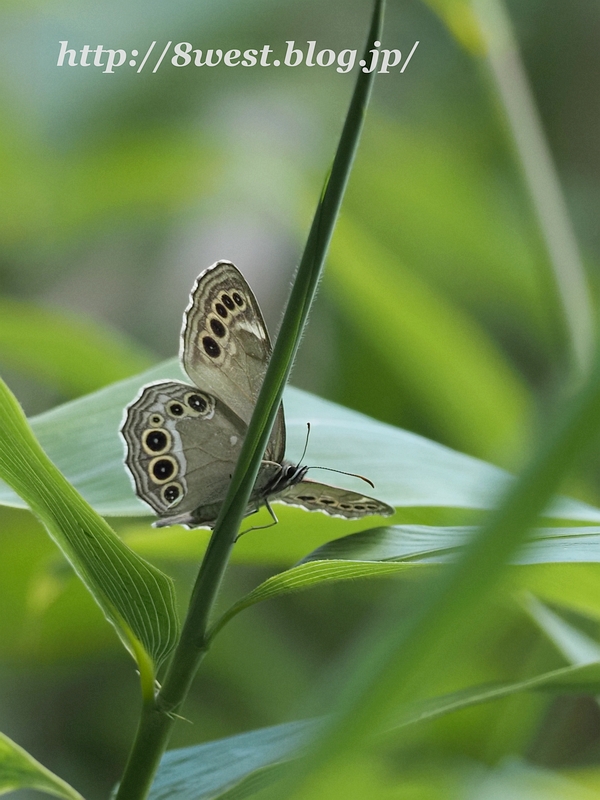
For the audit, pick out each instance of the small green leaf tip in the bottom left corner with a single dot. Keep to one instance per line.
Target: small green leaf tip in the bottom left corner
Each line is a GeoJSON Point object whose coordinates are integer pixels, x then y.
{"type": "Point", "coordinates": [19, 770]}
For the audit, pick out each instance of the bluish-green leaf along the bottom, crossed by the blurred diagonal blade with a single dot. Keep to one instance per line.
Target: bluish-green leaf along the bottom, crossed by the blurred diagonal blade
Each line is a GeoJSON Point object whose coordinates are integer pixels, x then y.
{"type": "Point", "coordinates": [227, 768]}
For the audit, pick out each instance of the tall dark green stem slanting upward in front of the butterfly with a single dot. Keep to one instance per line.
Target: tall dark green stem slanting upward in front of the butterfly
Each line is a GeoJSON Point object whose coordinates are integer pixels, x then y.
{"type": "Point", "coordinates": [157, 718]}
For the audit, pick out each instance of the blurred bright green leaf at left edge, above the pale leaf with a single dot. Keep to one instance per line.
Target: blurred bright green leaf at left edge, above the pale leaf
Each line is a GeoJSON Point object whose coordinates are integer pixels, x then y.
{"type": "Point", "coordinates": [72, 354]}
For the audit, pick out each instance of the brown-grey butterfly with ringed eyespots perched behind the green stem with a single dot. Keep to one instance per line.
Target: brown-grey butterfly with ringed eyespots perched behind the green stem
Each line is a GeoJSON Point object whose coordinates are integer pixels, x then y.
{"type": "Point", "coordinates": [183, 441]}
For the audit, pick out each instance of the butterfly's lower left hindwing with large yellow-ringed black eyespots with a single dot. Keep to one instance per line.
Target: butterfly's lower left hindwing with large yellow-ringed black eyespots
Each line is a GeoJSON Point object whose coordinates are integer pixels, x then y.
{"type": "Point", "coordinates": [182, 446]}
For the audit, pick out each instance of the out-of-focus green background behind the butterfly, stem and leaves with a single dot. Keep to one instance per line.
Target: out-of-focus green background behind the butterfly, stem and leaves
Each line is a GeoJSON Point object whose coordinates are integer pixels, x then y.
{"type": "Point", "coordinates": [435, 315]}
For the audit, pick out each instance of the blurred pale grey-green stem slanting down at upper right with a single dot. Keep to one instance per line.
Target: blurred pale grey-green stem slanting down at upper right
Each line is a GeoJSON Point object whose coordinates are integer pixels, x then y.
{"type": "Point", "coordinates": [569, 279]}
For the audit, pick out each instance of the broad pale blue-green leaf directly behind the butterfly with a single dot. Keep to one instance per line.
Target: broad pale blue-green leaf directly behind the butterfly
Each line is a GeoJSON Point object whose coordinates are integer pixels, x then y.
{"type": "Point", "coordinates": [82, 439]}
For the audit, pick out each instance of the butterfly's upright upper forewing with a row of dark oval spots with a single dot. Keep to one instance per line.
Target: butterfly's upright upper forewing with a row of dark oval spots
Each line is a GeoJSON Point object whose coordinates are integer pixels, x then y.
{"type": "Point", "coordinates": [225, 345]}
